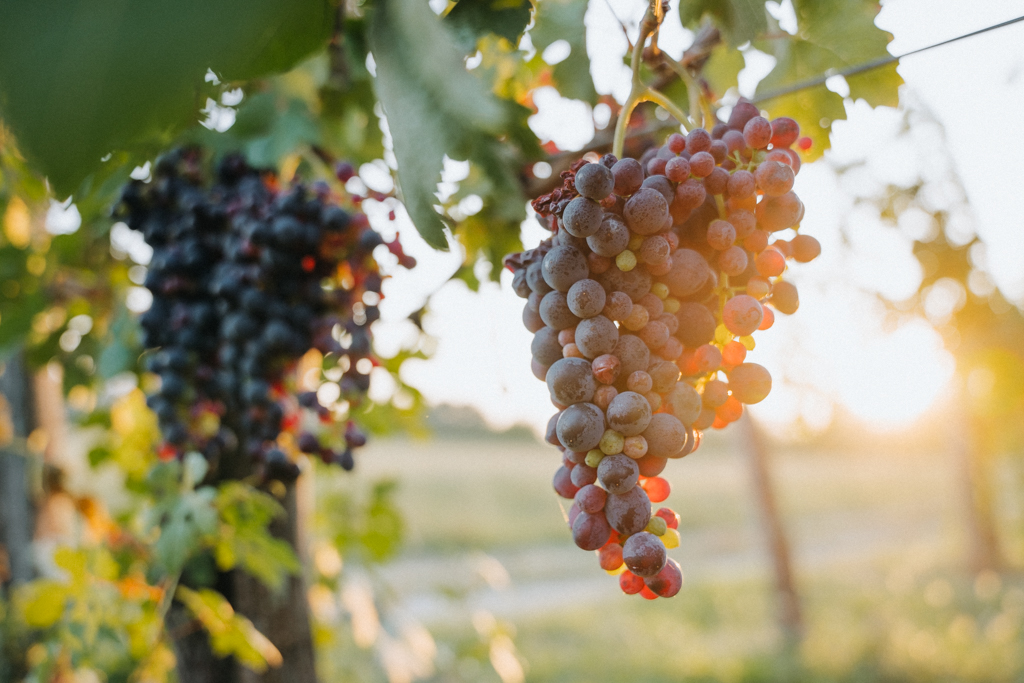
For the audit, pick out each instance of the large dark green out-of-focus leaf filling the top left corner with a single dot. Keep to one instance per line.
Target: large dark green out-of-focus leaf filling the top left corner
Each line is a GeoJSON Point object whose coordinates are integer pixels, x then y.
{"type": "Point", "coordinates": [80, 80]}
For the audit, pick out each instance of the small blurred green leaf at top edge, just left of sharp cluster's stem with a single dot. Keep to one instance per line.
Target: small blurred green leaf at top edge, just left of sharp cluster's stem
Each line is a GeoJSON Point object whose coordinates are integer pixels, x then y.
{"type": "Point", "coordinates": [563, 20]}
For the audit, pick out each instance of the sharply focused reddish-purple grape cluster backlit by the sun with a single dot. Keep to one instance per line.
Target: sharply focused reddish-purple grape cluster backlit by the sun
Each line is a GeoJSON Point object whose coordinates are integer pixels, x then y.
{"type": "Point", "coordinates": [643, 307]}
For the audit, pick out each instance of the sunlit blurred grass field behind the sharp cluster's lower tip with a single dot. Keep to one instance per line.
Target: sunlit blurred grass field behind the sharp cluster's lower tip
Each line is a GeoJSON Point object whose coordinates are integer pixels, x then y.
{"type": "Point", "coordinates": [879, 549]}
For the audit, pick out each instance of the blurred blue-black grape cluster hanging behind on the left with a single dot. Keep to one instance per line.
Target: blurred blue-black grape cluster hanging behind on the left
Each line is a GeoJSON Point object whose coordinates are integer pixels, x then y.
{"type": "Point", "coordinates": [247, 277]}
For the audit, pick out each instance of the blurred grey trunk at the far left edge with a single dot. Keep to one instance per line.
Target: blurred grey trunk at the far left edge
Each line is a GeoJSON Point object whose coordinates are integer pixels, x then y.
{"type": "Point", "coordinates": [17, 508]}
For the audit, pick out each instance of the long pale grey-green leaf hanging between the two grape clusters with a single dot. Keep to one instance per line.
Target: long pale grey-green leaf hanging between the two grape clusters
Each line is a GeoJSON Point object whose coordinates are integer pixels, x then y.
{"type": "Point", "coordinates": [433, 104]}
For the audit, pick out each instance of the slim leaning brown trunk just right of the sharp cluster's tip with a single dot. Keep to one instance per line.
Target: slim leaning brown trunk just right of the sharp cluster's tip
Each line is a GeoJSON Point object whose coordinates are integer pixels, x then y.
{"type": "Point", "coordinates": [790, 615]}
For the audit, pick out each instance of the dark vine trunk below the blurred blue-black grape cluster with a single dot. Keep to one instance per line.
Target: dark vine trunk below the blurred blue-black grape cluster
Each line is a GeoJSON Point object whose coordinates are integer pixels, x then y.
{"type": "Point", "coordinates": [283, 619]}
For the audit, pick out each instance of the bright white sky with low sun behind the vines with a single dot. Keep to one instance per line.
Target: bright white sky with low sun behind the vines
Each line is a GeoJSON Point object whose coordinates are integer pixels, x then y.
{"type": "Point", "coordinates": [839, 350]}
